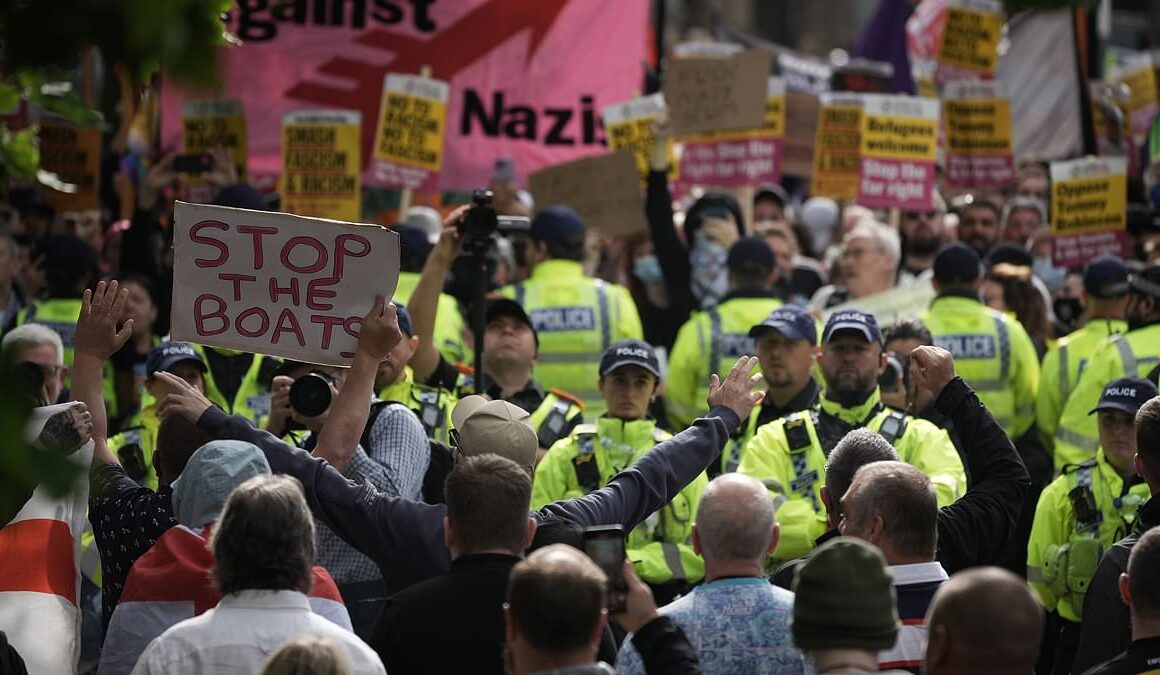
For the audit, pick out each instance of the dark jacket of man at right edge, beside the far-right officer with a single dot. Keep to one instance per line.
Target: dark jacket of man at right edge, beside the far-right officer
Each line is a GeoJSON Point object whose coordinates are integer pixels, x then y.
{"type": "Point", "coordinates": [1107, 627]}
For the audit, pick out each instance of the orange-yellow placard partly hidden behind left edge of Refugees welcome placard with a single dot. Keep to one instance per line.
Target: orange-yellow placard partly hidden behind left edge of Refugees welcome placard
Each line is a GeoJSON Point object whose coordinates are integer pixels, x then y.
{"type": "Point", "coordinates": [838, 149]}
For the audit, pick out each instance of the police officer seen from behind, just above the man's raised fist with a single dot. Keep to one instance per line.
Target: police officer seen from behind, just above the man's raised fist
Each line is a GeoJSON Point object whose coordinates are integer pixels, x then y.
{"type": "Point", "coordinates": [992, 352]}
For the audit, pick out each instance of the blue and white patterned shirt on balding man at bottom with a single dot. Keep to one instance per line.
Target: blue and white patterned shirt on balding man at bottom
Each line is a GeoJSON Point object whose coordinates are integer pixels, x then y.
{"type": "Point", "coordinates": [737, 627]}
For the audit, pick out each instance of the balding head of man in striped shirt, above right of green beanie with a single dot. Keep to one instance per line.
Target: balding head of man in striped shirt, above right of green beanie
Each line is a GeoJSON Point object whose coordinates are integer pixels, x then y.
{"type": "Point", "coordinates": [893, 505]}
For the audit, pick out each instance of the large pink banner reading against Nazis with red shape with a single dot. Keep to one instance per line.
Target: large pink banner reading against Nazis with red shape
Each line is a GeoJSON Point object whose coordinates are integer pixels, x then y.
{"type": "Point", "coordinates": [528, 77]}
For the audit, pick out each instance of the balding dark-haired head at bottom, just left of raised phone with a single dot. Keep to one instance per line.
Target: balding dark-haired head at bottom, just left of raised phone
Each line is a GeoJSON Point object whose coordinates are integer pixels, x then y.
{"type": "Point", "coordinates": [556, 600]}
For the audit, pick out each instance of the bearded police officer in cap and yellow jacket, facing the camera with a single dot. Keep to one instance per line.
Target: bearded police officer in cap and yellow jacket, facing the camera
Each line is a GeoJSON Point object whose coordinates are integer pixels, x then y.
{"type": "Point", "coordinates": [789, 455]}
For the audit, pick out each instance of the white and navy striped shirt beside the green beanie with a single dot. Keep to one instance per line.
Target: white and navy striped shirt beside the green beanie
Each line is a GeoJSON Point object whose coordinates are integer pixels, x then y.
{"type": "Point", "coordinates": [916, 586]}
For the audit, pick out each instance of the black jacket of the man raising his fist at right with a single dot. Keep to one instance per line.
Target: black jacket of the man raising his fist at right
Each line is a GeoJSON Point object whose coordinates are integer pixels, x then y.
{"type": "Point", "coordinates": [975, 529]}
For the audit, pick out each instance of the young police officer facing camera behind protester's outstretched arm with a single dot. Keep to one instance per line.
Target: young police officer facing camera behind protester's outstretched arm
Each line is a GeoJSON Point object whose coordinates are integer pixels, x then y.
{"type": "Point", "coordinates": [661, 548]}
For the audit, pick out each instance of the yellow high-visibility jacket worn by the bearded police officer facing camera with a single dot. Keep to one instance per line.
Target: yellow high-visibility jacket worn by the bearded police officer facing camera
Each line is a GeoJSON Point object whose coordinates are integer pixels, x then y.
{"type": "Point", "coordinates": [789, 458]}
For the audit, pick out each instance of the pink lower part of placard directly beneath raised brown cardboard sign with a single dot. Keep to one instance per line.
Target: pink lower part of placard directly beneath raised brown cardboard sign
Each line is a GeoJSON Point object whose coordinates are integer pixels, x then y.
{"type": "Point", "coordinates": [728, 164]}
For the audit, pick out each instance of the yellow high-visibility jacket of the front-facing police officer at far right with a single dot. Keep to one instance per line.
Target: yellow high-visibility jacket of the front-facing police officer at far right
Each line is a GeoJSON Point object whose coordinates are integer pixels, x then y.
{"type": "Point", "coordinates": [1064, 548]}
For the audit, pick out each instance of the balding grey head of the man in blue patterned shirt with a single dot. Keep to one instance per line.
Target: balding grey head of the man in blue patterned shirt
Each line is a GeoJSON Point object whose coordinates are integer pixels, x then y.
{"type": "Point", "coordinates": [735, 520]}
